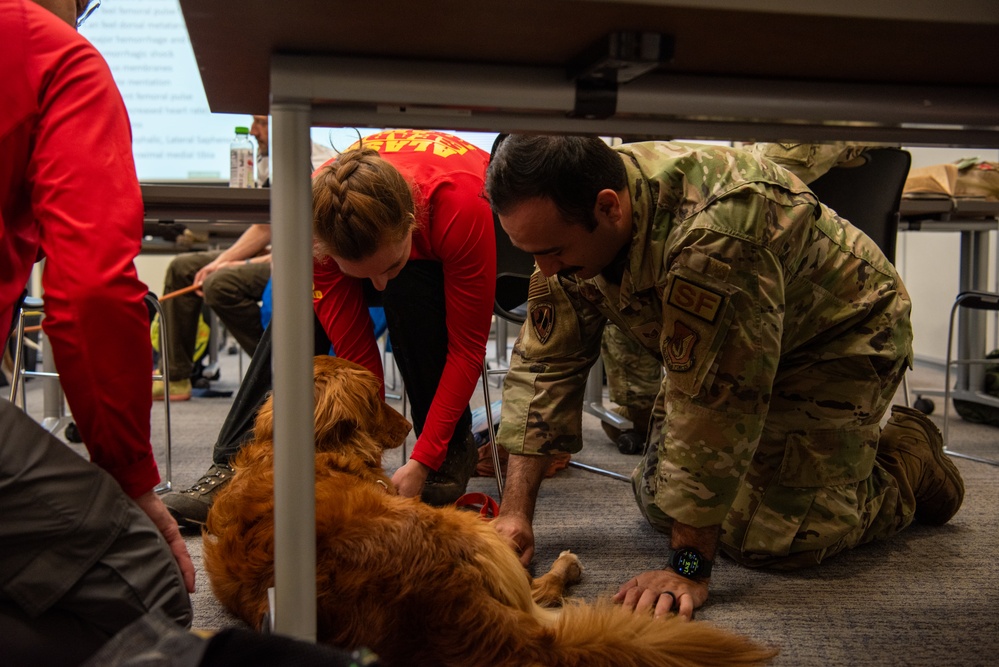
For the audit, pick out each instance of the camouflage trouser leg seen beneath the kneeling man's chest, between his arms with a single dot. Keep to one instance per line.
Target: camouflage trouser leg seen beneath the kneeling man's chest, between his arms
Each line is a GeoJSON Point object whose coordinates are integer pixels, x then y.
{"type": "Point", "coordinates": [634, 376]}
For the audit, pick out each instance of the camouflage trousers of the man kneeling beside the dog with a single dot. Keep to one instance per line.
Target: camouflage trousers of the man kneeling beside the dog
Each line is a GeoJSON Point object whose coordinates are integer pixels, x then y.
{"type": "Point", "coordinates": [801, 502]}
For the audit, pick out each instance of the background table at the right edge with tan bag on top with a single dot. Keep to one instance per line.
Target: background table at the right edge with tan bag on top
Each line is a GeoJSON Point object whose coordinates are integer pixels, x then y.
{"type": "Point", "coordinates": [974, 219]}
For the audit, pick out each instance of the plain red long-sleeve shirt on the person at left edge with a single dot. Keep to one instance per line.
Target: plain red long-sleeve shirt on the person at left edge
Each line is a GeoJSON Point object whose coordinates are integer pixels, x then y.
{"type": "Point", "coordinates": [69, 193]}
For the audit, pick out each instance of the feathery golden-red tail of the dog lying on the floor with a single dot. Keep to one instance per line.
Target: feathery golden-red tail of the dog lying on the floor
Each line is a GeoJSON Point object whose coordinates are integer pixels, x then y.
{"type": "Point", "coordinates": [606, 634]}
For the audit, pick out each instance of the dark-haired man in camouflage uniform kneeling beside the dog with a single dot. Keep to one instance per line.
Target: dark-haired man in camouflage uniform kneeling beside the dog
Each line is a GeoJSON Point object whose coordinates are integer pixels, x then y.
{"type": "Point", "coordinates": [784, 331]}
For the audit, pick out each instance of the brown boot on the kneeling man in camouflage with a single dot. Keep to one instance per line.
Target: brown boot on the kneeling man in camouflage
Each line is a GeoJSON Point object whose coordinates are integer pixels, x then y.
{"type": "Point", "coordinates": [918, 448]}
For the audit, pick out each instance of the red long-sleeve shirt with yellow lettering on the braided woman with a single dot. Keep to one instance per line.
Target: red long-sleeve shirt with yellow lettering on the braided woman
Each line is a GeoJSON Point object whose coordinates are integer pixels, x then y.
{"type": "Point", "coordinates": [455, 229]}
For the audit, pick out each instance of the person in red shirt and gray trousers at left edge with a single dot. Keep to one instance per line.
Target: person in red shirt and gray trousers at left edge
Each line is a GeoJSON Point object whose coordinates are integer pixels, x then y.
{"type": "Point", "coordinates": [79, 560]}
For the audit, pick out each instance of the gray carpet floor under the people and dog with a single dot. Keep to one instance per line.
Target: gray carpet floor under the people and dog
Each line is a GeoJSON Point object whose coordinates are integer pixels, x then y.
{"type": "Point", "coordinates": [928, 597]}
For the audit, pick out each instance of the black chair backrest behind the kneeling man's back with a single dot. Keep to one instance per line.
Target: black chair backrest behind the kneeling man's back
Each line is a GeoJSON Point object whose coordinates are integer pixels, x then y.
{"type": "Point", "coordinates": [868, 195]}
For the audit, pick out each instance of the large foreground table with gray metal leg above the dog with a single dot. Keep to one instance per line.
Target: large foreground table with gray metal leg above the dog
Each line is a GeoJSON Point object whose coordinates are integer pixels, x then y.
{"type": "Point", "coordinates": [512, 65]}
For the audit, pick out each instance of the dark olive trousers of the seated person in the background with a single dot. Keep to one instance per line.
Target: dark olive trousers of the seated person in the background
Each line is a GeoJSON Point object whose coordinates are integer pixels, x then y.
{"type": "Point", "coordinates": [233, 294]}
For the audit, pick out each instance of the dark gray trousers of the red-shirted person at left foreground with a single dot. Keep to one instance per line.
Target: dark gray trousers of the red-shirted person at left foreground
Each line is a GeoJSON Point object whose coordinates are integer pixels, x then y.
{"type": "Point", "coordinates": [79, 560]}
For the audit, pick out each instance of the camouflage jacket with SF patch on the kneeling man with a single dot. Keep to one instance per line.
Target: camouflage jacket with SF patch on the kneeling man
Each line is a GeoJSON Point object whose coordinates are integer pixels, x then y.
{"type": "Point", "coordinates": [735, 273]}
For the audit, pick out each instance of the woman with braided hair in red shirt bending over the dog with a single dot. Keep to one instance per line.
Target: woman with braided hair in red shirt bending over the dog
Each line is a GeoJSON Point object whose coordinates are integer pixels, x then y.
{"type": "Point", "coordinates": [398, 221]}
